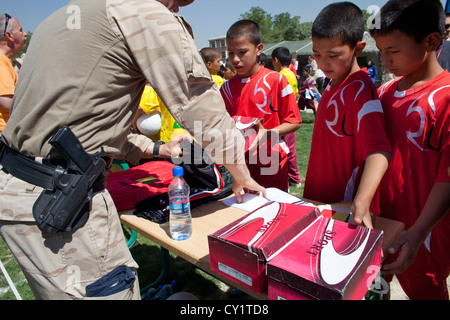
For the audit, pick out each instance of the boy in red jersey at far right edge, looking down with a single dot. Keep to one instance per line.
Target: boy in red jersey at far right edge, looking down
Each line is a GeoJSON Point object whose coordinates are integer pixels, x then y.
{"type": "Point", "coordinates": [416, 187]}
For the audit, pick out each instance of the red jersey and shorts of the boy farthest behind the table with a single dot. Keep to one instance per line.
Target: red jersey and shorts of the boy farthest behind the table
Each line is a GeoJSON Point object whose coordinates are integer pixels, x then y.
{"type": "Point", "coordinates": [266, 95]}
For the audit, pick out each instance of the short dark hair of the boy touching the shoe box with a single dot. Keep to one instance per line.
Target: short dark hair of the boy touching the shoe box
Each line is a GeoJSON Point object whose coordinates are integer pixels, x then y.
{"type": "Point", "coordinates": [341, 20]}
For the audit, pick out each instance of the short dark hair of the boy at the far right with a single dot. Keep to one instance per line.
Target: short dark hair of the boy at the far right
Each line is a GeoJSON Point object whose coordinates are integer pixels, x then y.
{"type": "Point", "coordinates": [415, 18]}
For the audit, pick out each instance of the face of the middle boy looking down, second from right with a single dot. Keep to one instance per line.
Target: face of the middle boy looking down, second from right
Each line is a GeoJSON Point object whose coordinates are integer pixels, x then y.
{"type": "Point", "coordinates": [334, 58]}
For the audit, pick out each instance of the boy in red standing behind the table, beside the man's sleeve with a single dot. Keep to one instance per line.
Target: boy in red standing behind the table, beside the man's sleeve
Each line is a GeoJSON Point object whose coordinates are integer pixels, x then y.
{"type": "Point", "coordinates": [257, 92]}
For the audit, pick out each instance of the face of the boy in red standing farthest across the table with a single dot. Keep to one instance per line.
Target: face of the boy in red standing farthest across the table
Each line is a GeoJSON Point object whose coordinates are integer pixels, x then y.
{"type": "Point", "coordinates": [243, 56]}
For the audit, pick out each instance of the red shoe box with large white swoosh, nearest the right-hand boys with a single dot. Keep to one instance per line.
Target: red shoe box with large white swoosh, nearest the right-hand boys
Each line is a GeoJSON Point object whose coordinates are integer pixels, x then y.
{"type": "Point", "coordinates": [328, 260]}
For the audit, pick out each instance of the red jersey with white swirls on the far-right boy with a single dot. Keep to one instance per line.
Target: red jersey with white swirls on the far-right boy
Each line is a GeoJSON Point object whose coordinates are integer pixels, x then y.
{"type": "Point", "coordinates": [418, 127]}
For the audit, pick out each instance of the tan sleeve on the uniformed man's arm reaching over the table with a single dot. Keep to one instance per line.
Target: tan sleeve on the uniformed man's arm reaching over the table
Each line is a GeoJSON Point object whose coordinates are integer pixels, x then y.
{"type": "Point", "coordinates": [164, 49]}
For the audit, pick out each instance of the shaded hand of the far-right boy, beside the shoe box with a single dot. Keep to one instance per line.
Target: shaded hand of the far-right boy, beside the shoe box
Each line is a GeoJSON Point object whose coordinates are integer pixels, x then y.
{"type": "Point", "coordinates": [407, 245]}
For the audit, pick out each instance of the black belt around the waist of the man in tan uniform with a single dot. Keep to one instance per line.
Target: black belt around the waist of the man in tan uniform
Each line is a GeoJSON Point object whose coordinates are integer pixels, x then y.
{"type": "Point", "coordinates": [40, 174]}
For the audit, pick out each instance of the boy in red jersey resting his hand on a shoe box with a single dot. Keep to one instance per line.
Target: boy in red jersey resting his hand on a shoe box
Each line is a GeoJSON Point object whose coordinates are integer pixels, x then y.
{"type": "Point", "coordinates": [349, 152]}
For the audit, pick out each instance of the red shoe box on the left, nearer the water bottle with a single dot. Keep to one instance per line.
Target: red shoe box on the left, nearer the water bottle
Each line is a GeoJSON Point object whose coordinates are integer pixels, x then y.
{"type": "Point", "coordinates": [240, 251]}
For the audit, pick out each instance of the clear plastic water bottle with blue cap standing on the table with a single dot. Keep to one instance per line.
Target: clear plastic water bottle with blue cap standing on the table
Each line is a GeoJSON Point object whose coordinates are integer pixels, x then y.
{"type": "Point", "coordinates": [180, 219]}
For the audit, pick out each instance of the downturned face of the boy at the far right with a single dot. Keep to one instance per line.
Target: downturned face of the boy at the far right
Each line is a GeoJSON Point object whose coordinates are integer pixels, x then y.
{"type": "Point", "coordinates": [400, 53]}
